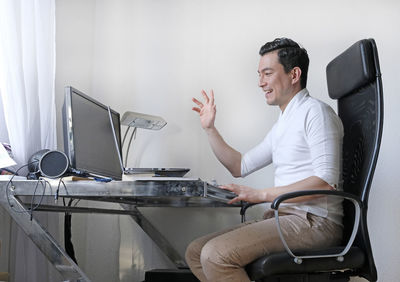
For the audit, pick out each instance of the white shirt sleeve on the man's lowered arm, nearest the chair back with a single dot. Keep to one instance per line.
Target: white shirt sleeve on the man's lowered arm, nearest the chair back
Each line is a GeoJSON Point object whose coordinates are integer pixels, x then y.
{"type": "Point", "coordinates": [324, 134]}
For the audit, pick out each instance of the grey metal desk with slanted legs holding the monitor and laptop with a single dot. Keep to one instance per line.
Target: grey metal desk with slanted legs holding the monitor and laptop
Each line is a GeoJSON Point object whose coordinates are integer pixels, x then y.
{"type": "Point", "coordinates": [145, 192]}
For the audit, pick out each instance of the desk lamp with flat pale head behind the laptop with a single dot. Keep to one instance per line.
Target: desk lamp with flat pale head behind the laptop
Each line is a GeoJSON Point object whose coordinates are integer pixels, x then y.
{"type": "Point", "coordinates": [138, 120]}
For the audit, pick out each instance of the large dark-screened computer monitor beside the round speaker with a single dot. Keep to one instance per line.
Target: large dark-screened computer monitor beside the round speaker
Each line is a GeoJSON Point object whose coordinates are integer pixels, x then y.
{"type": "Point", "coordinates": [88, 139]}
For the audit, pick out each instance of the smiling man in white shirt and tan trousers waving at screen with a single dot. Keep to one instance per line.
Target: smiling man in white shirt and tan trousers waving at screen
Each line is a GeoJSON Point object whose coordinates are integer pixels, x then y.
{"type": "Point", "coordinates": [305, 147]}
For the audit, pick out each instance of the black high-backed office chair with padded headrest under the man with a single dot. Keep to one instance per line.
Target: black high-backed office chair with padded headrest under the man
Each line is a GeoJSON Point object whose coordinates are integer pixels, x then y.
{"type": "Point", "coordinates": [354, 79]}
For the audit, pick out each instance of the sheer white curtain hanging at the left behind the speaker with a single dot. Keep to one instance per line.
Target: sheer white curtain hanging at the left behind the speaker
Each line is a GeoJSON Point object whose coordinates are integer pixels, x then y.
{"type": "Point", "coordinates": [27, 76]}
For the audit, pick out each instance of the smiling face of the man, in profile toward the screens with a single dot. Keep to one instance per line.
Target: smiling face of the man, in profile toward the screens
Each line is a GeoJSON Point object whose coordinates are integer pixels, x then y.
{"type": "Point", "coordinates": [276, 84]}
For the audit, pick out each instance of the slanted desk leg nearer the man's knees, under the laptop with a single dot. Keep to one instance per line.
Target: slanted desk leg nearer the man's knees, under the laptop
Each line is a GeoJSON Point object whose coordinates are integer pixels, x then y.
{"type": "Point", "coordinates": [156, 236]}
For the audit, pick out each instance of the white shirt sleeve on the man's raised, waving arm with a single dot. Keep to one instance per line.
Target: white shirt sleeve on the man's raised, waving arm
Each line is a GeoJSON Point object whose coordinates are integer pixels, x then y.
{"type": "Point", "coordinates": [258, 157]}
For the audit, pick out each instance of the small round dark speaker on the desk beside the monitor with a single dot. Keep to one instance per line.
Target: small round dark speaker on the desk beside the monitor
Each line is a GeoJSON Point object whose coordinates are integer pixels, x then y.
{"type": "Point", "coordinates": [49, 163]}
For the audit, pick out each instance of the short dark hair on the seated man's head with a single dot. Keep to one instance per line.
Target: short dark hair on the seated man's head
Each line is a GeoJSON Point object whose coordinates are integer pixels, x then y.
{"type": "Point", "coordinates": [290, 55]}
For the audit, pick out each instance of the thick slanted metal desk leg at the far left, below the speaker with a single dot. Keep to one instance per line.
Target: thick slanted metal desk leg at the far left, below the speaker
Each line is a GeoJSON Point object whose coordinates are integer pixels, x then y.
{"type": "Point", "coordinates": [43, 240]}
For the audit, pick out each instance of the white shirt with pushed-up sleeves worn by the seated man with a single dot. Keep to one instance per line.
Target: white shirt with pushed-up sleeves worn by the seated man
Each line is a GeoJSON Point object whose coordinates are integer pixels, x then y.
{"type": "Point", "coordinates": [305, 141]}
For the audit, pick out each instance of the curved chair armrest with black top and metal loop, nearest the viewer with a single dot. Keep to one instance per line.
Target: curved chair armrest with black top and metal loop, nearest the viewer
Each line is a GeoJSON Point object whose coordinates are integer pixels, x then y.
{"type": "Point", "coordinates": [357, 206]}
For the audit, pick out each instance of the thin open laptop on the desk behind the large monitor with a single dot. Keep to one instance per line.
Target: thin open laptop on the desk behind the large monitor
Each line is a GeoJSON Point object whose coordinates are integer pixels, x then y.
{"type": "Point", "coordinates": [164, 172]}
